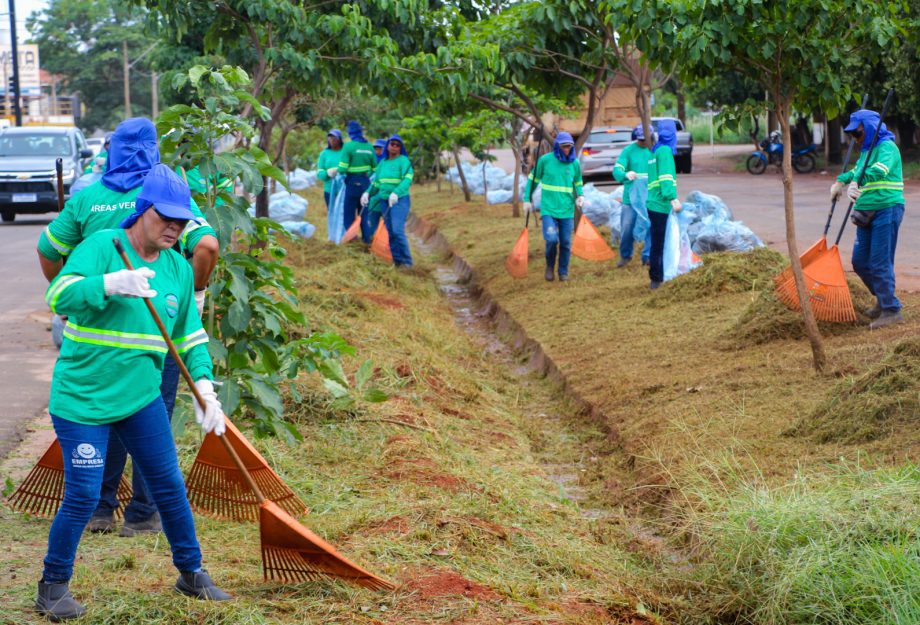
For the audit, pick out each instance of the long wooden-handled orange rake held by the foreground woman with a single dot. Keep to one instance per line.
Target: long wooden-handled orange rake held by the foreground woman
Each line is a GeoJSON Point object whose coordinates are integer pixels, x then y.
{"type": "Point", "coordinates": [289, 551]}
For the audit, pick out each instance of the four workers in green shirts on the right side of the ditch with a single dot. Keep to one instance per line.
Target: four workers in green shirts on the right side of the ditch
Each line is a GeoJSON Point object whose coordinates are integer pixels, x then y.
{"type": "Point", "coordinates": [878, 208]}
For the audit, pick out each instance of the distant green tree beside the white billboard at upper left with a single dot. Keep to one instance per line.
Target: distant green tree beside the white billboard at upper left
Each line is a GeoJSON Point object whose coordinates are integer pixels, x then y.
{"type": "Point", "coordinates": [81, 40]}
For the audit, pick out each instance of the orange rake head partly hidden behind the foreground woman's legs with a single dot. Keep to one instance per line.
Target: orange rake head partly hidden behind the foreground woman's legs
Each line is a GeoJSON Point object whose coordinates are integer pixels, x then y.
{"type": "Point", "coordinates": [42, 492]}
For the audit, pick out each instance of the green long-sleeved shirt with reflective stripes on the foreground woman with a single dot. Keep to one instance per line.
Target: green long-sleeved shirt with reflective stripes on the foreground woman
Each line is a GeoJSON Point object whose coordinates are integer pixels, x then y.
{"type": "Point", "coordinates": [111, 362]}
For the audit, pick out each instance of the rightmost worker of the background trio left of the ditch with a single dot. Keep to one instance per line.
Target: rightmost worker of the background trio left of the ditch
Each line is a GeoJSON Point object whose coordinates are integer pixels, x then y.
{"type": "Point", "coordinates": [388, 196]}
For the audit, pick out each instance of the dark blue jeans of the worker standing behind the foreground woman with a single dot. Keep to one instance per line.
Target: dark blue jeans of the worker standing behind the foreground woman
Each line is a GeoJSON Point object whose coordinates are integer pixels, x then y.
{"type": "Point", "coordinates": [141, 506]}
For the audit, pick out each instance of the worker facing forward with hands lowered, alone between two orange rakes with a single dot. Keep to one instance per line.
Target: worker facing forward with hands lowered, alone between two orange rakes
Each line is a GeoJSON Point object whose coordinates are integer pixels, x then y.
{"type": "Point", "coordinates": [559, 177]}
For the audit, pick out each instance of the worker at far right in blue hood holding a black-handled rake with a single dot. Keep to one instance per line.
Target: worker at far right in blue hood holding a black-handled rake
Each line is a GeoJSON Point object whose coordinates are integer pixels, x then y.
{"type": "Point", "coordinates": [879, 209]}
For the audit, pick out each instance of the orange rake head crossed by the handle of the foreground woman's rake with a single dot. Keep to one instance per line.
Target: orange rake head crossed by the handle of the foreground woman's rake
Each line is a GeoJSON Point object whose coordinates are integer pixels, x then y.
{"type": "Point", "coordinates": [216, 487]}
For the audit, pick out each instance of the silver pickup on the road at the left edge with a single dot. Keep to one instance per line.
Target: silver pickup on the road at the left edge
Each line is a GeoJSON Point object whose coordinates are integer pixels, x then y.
{"type": "Point", "coordinates": [28, 181]}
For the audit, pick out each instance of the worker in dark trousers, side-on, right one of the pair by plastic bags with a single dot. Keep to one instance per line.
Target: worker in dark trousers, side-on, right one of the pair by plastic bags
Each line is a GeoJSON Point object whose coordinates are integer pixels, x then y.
{"type": "Point", "coordinates": [662, 195]}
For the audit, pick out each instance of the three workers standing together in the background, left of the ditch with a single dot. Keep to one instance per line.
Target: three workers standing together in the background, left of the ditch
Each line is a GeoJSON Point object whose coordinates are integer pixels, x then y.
{"type": "Point", "coordinates": [376, 186]}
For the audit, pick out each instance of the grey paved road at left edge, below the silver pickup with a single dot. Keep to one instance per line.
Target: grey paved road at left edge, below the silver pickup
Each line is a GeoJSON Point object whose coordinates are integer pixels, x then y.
{"type": "Point", "coordinates": [26, 354]}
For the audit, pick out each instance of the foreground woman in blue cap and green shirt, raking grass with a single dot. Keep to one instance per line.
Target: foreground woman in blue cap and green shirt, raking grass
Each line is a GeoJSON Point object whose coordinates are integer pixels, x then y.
{"type": "Point", "coordinates": [107, 380]}
